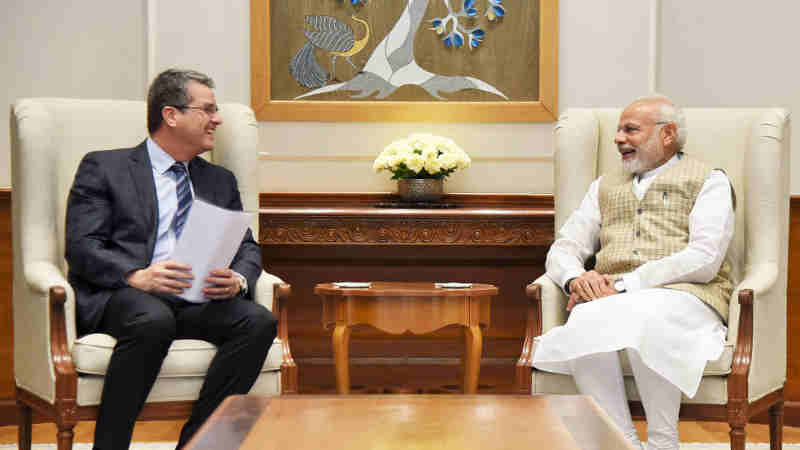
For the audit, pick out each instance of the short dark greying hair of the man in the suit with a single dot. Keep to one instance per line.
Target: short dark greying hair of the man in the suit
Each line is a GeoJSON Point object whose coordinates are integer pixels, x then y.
{"type": "Point", "coordinates": [169, 89]}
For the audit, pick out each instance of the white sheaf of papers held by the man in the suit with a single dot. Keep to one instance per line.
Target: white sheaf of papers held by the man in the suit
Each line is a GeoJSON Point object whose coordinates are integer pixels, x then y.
{"type": "Point", "coordinates": [210, 239]}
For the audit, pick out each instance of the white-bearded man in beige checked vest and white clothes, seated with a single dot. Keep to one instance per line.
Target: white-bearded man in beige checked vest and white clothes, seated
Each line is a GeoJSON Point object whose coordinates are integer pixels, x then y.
{"type": "Point", "coordinates": [659, 228]}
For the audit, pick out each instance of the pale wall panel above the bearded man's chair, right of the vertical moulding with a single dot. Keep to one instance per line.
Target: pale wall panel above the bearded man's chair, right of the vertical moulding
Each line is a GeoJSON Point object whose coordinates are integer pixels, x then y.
{"type": "Point", "coordinates": [722, 53]}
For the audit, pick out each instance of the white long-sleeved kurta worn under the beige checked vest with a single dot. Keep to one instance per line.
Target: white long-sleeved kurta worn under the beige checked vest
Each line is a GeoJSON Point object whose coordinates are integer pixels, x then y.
{"type": "Point", "coordinates": [674, 332]}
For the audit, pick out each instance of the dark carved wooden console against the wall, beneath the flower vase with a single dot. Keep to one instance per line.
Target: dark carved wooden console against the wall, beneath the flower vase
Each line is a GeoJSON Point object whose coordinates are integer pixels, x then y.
{"type": "Point", "coordinates": [311, 238]}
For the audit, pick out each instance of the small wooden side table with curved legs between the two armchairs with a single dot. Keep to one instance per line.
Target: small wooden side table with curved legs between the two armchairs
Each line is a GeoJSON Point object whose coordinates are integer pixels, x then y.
{"type": "Point", "coordinates": [397, 308]}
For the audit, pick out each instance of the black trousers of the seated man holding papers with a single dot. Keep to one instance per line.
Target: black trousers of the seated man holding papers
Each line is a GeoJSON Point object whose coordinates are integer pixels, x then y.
{"type": "Point", "coordinates": [145, 325]}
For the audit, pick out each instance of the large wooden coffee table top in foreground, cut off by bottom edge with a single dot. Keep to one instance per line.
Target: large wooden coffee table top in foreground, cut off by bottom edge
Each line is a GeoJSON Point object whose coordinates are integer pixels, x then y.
{"type": "Point", "coordinates": [442, 422]}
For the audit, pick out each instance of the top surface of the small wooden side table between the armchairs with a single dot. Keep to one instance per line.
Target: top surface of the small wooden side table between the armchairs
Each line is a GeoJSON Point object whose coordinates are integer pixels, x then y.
{"type": "Point", "coordinates": [404, 289]}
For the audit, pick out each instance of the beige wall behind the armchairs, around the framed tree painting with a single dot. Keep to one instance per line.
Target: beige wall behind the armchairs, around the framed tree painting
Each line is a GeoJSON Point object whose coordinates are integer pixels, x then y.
{"type": "Point", "coordinates": [609, 53]}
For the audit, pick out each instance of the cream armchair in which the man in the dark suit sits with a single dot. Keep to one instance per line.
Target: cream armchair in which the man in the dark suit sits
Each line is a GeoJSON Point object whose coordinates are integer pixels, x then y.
{"type": "Point", "coordinates": [61, 377]}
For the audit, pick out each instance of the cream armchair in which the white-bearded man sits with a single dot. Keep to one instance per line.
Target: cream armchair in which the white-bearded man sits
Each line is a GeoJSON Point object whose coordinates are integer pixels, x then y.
{"type": "Point", "coordinates": [752, 146]}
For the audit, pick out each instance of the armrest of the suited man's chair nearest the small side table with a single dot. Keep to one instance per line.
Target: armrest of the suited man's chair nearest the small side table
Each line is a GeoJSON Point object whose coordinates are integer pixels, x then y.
{"type": "Point", "coordinates": [273, 293]}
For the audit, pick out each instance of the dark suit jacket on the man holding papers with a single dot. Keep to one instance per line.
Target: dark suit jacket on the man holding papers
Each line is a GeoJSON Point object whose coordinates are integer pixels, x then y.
{"type": "Point", "coordinates": [111, 225]}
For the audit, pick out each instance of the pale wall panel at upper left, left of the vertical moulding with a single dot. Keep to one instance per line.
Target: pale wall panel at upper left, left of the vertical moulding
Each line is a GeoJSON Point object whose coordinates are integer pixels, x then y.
{"type": "Point", "coordinates": [88, 49]}
